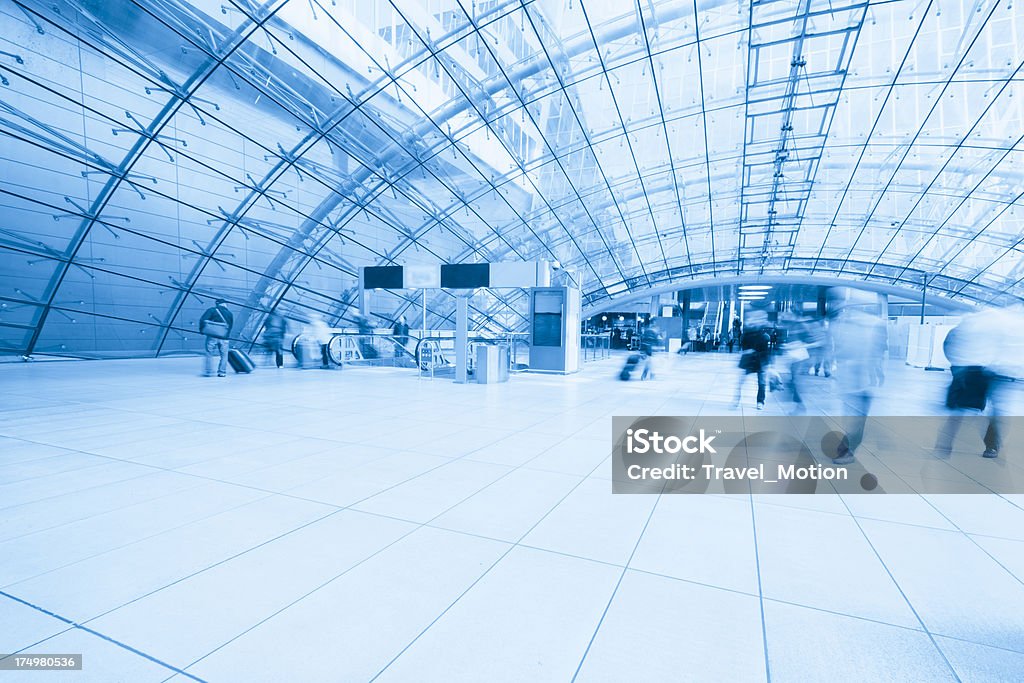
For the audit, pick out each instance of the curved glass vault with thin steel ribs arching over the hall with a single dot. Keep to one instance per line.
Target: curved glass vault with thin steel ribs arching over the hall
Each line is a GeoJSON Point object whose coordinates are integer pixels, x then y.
{"type": "Point", "coordinates": [158, 154]}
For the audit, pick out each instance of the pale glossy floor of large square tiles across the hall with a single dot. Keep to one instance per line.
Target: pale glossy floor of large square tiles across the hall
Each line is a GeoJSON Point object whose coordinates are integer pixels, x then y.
{"type": "Point", "coordinates": [362, 524]}
